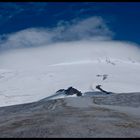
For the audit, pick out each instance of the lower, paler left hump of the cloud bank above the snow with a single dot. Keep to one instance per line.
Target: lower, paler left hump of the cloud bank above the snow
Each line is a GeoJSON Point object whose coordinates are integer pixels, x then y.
{"type": "Point", "coordinates": [26, 38]}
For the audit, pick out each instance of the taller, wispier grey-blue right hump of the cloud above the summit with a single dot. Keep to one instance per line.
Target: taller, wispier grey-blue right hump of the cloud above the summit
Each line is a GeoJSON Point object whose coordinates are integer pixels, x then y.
{"type": "Point", "coordinates": [86, 29]}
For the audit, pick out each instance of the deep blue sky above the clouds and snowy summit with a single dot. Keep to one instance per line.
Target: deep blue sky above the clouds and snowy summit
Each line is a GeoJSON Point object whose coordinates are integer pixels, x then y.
{"type": "Point", "coordinates": [122, 18]}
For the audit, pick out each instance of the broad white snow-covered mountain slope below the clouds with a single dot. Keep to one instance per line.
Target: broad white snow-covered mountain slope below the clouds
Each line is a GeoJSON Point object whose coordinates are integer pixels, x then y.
{"type": "Point", "coordinates": [30, 74]}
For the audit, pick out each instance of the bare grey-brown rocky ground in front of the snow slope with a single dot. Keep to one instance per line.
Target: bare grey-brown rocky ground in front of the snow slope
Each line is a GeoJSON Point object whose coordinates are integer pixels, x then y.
{"type": "Point", "coordinates": [91, 115]}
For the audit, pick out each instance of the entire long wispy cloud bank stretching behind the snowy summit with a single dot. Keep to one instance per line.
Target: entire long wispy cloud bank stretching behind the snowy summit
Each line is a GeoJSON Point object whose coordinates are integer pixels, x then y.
{"type": "Point", "coordinates": [93, 28]}
